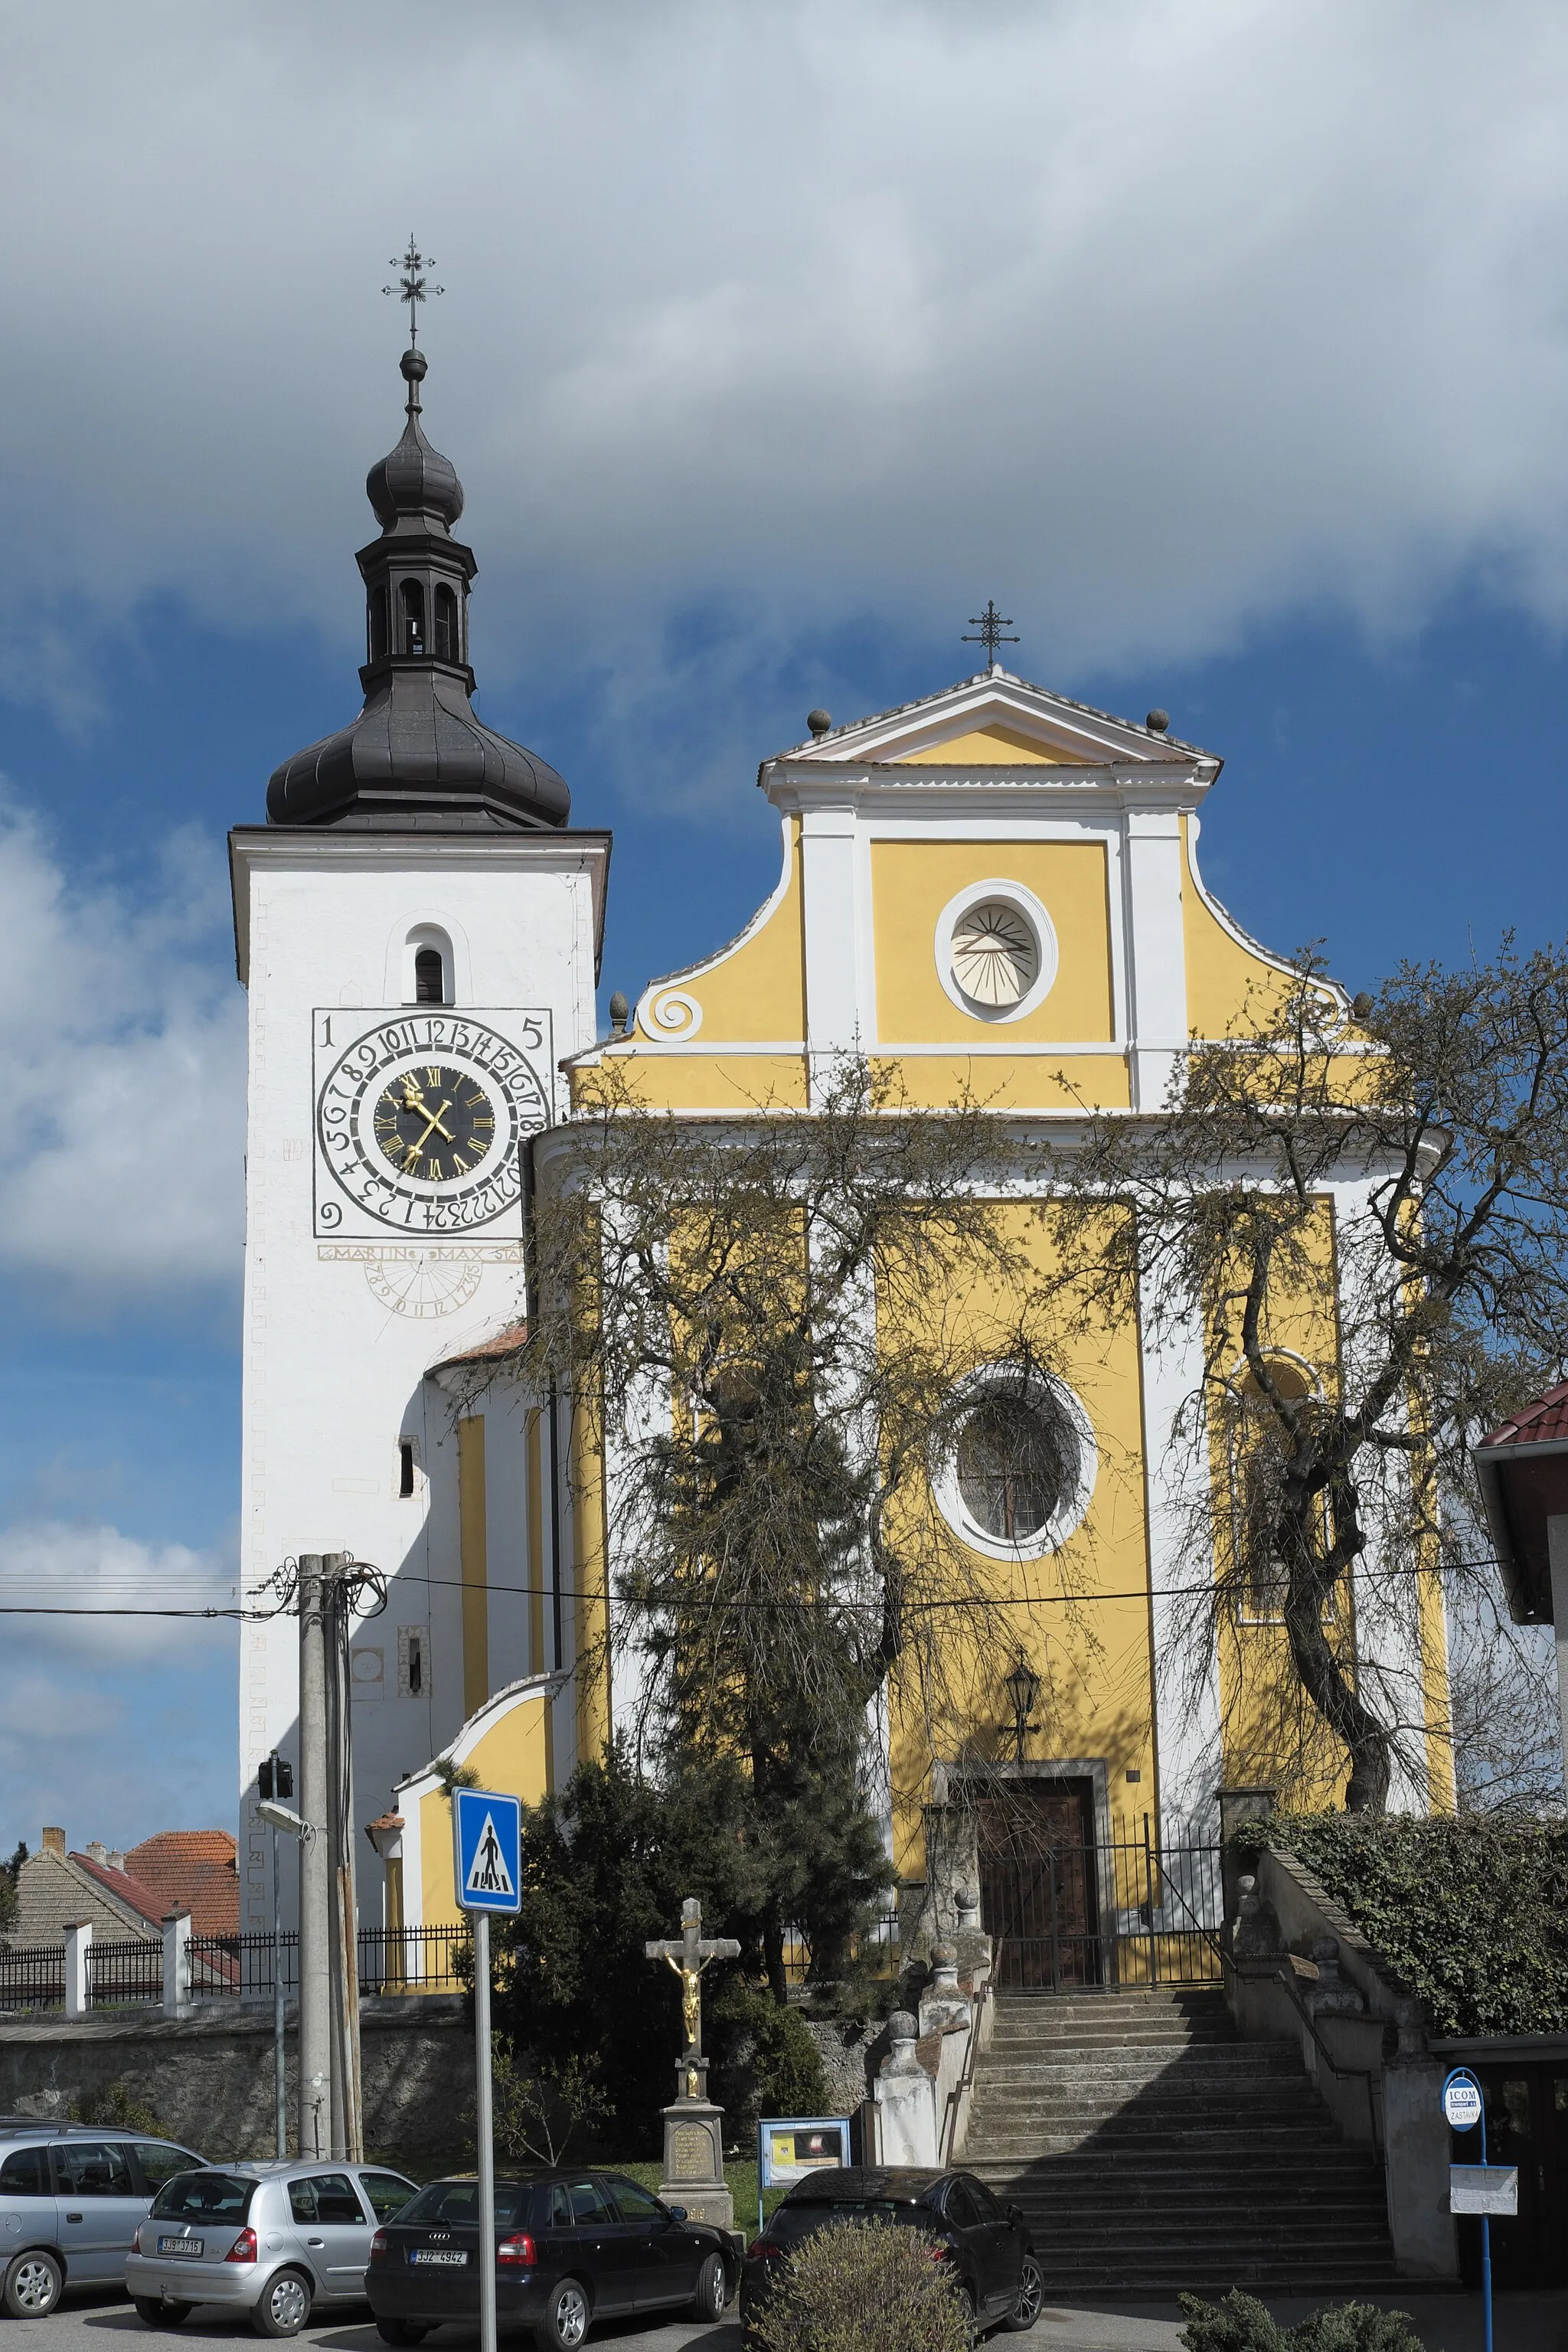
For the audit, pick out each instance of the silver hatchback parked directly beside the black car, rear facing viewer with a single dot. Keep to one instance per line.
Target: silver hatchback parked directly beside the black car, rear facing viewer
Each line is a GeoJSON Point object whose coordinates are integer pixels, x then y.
{"type": "Point", "coordinates": [264, 2240]}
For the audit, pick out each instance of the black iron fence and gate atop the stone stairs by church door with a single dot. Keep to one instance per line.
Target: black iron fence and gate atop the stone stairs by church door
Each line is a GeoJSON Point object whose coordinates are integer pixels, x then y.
{"type": "Point", "coordinates": [1078, 1913]}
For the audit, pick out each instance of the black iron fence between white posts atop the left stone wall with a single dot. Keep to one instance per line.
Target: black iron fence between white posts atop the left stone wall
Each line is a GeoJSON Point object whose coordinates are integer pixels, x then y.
{"type": "Point", "coordinates": [236, 1967]}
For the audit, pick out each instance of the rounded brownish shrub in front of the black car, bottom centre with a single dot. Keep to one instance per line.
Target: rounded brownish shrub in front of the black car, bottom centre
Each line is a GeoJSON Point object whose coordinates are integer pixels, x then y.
{"type": "Point", "coordinates": [866, 2287]}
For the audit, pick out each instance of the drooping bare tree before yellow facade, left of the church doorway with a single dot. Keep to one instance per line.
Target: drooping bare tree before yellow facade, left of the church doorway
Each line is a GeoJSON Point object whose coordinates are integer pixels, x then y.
{"type": "Point", "coordinates": [775, 1318]}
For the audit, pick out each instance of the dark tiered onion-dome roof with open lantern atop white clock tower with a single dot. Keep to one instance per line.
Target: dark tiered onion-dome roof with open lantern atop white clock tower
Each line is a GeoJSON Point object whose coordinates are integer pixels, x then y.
{"type": "Point", "coordinates": [417, 759]}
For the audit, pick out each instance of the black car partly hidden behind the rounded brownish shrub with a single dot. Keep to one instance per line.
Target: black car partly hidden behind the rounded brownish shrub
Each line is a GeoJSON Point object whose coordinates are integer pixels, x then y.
{"type": "Point", "coordinates": [989, 2245]}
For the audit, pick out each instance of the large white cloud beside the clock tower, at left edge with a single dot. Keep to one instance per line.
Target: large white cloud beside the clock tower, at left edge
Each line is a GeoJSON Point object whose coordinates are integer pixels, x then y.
{"type": "Point", "coordinates": [123, 1081]}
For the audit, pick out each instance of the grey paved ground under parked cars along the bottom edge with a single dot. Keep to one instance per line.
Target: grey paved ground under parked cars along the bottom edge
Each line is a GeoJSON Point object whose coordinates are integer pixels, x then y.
{"type": "Point", "coordinates": [1445, 2323]}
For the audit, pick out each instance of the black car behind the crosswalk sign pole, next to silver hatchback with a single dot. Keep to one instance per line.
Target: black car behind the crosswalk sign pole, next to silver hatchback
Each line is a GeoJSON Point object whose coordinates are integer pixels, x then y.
{"type": "Point", "coordinates": [572, 2247]}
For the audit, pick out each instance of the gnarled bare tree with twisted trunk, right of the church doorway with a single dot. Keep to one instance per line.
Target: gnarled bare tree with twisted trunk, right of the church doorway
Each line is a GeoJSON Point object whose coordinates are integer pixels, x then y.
{"type": "Point", "coordinates": [1355, 1227]}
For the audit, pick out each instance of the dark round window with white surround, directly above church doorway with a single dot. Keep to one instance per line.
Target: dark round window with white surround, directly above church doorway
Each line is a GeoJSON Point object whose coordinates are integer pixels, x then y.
{"type": "Point", "coordinates": [1019, 1466]}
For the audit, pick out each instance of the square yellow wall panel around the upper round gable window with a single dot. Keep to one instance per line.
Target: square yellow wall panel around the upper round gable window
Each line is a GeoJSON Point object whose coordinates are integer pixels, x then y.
{"type": "Point", "coordinates": [911, 888]}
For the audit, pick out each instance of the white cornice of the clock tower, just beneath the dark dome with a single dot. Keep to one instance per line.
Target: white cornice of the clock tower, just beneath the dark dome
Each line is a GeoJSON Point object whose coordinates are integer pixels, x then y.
{"type": "Point", "coordinates": [304, 850]}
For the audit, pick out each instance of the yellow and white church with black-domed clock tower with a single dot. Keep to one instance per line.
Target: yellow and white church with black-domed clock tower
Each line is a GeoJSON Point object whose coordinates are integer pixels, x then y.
{"type": "Point", "coordinates": [989, 890]}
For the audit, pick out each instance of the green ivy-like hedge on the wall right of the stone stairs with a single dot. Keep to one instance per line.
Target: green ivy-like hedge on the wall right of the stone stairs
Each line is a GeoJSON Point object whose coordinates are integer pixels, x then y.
{"type": "Point", "coordinates": [1470, 1913]}
